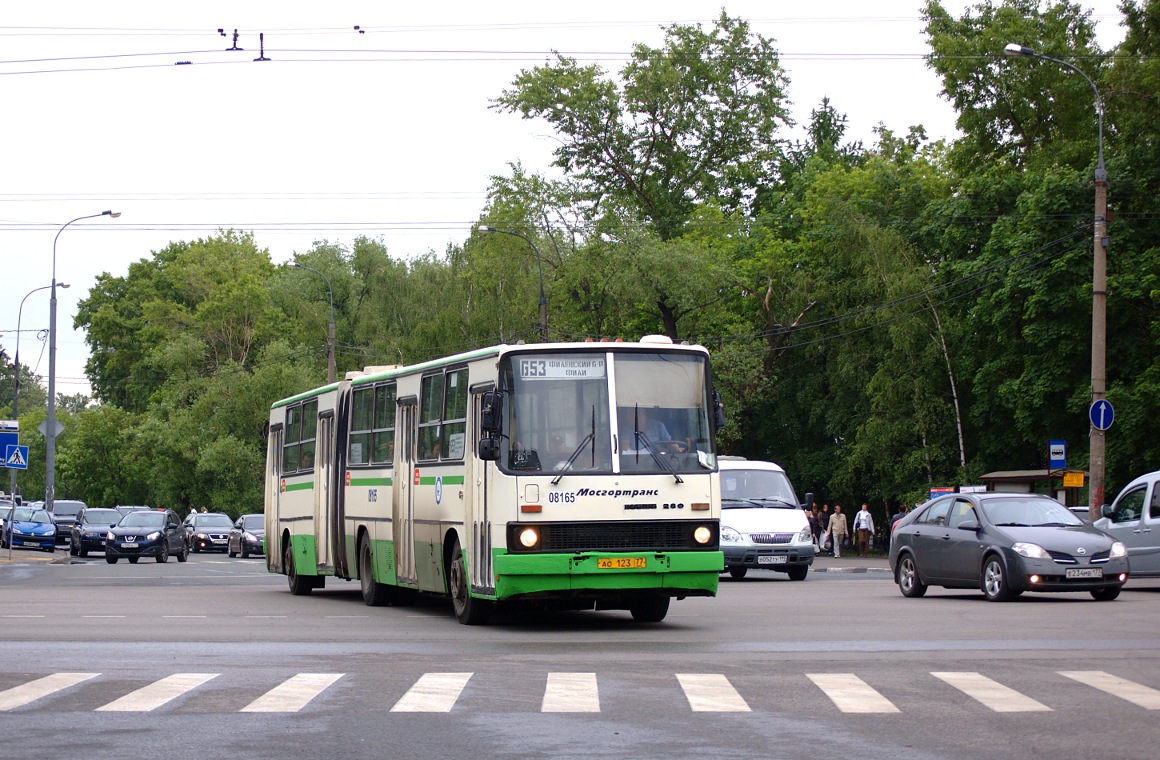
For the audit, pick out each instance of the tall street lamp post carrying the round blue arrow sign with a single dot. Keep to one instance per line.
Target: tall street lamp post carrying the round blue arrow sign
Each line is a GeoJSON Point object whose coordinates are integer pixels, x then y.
{"type": "Point", "coordinates": [1097, 460]}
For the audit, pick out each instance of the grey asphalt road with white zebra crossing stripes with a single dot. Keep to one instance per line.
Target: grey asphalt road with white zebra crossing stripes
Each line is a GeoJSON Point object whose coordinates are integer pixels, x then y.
{"type": "Point", "coordinates": [215, 658]}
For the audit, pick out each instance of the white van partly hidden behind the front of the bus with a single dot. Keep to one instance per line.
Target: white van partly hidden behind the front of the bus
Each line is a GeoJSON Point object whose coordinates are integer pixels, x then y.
{"type": "Point", "coordinates": [764, 525]}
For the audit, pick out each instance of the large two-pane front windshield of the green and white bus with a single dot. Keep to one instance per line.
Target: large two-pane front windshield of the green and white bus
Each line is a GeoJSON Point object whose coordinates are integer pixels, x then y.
{"type": "Point", "coordinates": [607, 412]}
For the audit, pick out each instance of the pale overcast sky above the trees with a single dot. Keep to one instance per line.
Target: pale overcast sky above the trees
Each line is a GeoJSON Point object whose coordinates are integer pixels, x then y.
{"type": "Point", "coordinates": [385, 133]}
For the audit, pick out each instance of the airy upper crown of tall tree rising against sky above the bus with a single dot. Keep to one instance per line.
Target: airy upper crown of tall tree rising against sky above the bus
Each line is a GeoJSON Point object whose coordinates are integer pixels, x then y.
{"type": "Point", "coordinates": [693, 122]}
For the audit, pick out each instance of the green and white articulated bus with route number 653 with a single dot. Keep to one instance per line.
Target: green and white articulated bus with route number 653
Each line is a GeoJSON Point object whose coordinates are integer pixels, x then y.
{"type": "Point", "coordinates": [579, 476]}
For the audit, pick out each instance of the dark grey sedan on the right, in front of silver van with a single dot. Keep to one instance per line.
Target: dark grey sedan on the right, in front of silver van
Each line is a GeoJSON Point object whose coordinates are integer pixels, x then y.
{"type": "Point", "coordinates": [1004, 545]}
